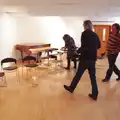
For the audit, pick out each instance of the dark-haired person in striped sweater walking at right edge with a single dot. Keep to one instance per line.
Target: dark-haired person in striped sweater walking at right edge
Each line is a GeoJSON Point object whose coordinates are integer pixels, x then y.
{"type": "Point", "coordinates": [113, 49]}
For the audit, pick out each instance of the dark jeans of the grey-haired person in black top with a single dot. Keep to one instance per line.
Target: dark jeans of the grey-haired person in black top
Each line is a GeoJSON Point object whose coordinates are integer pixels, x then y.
{"type": "Point", "coordinates": [83, 65]}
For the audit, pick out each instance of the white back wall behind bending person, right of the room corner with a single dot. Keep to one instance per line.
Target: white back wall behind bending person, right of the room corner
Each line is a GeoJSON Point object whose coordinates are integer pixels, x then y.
{"type": "Point", "coordinates": [48, 29]}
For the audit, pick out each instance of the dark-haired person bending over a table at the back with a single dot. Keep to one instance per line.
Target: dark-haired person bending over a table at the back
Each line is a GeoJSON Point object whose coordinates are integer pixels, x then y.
{"type": "Point", "coordinates": [71, 50]}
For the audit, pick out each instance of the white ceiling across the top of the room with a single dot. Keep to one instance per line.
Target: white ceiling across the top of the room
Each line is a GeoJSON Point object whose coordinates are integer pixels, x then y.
{"type": "Point", "coordinates": [92, 9]}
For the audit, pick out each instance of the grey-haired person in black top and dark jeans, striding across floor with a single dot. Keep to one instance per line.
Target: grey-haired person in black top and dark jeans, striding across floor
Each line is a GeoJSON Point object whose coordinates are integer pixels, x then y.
{"type": "Point", "coordinates": [90, 43]}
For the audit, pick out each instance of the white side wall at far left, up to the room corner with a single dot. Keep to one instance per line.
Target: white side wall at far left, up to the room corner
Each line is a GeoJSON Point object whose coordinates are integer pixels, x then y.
{"type": "Point", "coordinates": [8, 35]}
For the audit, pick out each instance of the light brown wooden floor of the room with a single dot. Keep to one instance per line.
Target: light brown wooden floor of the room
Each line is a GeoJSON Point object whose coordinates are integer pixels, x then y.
{"type": "Point", "coordinates": [49, 101]}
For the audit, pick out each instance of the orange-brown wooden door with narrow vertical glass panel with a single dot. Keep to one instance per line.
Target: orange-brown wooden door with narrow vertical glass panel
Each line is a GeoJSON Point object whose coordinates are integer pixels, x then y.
{"type": "Point", "coordinates": [103, 33]}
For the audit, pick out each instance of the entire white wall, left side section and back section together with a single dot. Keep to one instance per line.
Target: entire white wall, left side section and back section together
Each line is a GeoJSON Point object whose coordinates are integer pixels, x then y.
{"type": "Point", "coordinates": [16, 29]}
